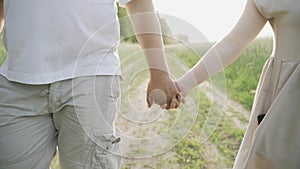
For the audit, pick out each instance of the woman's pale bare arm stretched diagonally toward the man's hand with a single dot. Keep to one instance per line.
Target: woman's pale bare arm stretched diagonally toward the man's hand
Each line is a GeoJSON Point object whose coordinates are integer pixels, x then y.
{"type": "Point", "coordinates": [227, 50]}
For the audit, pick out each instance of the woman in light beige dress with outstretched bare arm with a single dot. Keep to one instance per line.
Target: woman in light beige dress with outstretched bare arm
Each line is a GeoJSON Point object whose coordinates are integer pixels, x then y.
{"type": "Point", "coordinates": [275, 142]}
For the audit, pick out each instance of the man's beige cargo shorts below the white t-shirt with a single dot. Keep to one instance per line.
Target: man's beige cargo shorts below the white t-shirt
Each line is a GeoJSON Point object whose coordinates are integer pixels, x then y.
{"type": "Point", "coordinates": [75, 115]}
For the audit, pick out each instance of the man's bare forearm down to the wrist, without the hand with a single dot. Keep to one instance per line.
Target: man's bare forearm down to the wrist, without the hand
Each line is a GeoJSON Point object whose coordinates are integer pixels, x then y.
{"type": "Point", "coordinates": [148, 32]}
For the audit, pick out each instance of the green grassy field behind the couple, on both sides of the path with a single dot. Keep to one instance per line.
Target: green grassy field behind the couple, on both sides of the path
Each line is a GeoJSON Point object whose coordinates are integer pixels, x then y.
{"type": "Point", "coordinates": [220, 150]}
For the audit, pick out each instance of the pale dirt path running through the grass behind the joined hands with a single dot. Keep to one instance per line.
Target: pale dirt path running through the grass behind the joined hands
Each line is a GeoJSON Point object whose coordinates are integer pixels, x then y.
{"type": "Point", "coordinates": [137, 123]}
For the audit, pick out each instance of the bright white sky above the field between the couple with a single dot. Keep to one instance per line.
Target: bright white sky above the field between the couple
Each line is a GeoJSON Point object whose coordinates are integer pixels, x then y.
{"type": "Point", "coordinates": [212, 18]}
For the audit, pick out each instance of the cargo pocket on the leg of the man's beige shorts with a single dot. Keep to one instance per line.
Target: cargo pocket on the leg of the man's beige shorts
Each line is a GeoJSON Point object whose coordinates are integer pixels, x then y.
{"type": "Point", "coordinates": [107, 152]}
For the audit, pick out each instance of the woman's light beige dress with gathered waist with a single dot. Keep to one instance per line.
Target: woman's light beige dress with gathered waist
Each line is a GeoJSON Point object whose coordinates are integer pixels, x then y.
{"type": "Point", "coordinates": [275, 142]}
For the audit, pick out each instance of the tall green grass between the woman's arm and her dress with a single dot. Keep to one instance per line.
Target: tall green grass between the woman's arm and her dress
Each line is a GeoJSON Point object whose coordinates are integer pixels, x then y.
{"type": "Point", "coordinates": [242, 76]}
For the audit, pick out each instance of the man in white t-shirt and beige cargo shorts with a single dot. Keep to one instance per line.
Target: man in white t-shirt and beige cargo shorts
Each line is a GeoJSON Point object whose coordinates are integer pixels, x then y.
{"type": "Point", "coordinates": [59, 85]}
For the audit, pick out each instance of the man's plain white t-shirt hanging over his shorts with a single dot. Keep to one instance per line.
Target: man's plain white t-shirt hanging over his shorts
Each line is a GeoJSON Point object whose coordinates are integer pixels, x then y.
{"type": "Point", "coordinates": [53, 40]}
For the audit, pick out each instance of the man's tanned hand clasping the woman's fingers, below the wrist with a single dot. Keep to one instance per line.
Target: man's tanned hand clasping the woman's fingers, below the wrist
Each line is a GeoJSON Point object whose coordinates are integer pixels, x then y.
{"type": "Point", "coordinates": [162, 90]}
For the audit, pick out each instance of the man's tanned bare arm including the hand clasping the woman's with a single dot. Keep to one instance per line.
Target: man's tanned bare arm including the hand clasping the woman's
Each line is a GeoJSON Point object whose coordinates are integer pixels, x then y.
{"type": "Point", "coordinates": [147, 29]}
